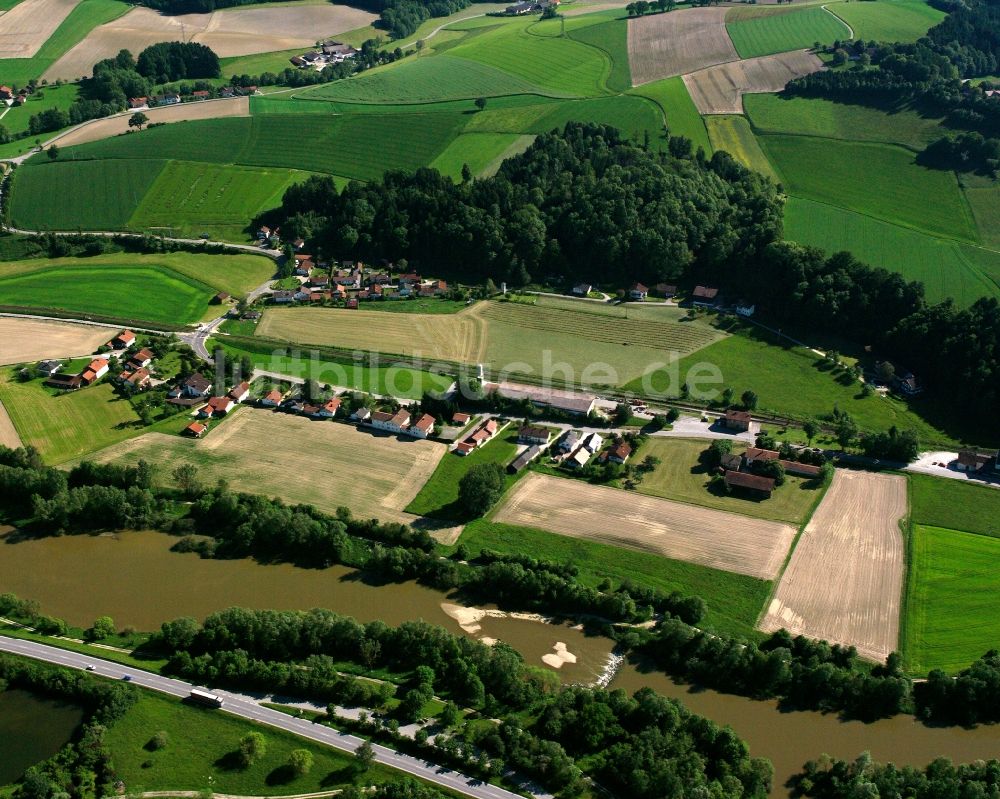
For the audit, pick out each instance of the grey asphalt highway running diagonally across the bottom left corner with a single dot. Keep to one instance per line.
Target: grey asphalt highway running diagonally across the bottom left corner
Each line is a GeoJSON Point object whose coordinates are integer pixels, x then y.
{"type": "Point", "coordinates": [245, 707]}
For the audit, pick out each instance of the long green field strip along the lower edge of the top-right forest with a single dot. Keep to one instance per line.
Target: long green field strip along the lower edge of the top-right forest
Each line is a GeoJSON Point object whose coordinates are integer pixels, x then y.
{"type": "Point", "coordinates": [774, 113]}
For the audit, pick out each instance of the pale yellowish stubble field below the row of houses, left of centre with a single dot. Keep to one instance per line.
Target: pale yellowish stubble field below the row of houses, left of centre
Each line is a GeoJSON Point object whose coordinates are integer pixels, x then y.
{"type": "Point", "coordinates": [321, 463]}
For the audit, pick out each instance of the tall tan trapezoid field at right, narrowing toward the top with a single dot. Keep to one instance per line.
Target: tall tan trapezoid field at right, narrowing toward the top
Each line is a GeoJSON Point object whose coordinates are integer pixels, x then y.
{"type": "Point", "coordinates": [844, 580]}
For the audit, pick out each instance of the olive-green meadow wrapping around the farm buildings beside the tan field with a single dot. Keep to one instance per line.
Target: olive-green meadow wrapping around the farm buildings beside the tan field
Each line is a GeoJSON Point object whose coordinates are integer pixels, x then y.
{"type": "Point", "coordinates": [681, 477]}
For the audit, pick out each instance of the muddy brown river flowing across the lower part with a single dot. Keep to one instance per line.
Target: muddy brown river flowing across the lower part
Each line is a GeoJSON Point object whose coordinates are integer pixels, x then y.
{"type": "Point", "coordinates": [136, 580]}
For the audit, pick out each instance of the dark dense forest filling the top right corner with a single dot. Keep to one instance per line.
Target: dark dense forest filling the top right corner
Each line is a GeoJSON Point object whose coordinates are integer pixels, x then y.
{"type": "Point", "coordinates": [931, 75]}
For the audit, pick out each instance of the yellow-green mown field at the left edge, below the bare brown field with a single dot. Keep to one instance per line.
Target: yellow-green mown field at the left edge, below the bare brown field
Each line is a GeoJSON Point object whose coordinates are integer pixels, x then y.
{"type": "Point", "coordinates": [69, 425]}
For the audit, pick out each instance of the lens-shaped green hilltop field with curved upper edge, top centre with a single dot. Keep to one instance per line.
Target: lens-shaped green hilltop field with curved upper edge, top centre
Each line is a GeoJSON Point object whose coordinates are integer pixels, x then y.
{"type": "Point", "coordinates": [427, 79]}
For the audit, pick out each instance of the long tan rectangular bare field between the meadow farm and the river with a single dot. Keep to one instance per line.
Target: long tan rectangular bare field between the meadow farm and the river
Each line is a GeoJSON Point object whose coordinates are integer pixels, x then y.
{"type": "Point", "coordinates": [726, 541]}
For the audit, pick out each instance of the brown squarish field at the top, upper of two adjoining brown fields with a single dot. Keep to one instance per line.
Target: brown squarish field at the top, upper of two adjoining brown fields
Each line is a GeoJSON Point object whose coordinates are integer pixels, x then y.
{"type": "Point", "coordinates": [664, 45]}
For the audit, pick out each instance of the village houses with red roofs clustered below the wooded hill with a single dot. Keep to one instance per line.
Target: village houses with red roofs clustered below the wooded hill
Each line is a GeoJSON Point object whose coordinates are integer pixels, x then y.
{"type": "Point", "coordinates": [353, 283]}
